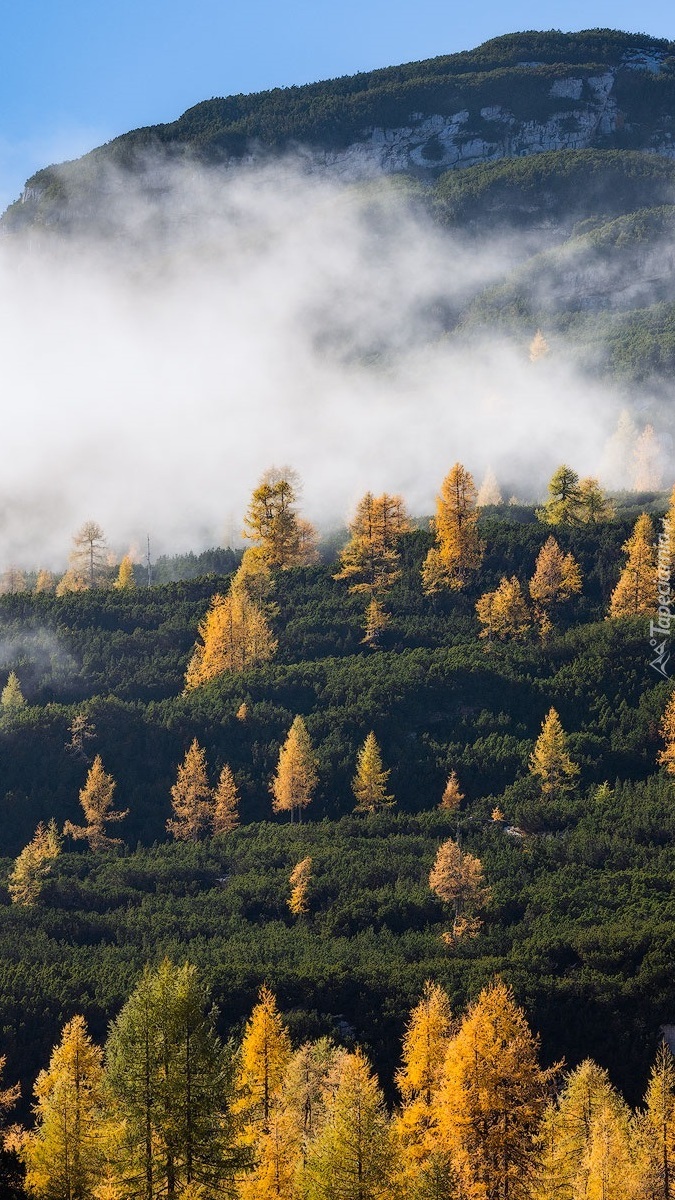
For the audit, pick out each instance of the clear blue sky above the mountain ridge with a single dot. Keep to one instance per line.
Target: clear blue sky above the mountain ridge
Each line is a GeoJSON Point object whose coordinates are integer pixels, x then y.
{"type": "Point", "coordinates": [77, 73]}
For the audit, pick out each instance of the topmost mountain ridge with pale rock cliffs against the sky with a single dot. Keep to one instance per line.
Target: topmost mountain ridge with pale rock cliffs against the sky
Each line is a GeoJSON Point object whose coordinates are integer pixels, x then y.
{"type": "Point", "coordinates": [515, 97]}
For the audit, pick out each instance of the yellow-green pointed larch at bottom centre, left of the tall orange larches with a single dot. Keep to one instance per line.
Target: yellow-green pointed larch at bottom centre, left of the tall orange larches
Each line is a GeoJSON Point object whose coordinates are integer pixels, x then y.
{"type": "Point", "coordinates": [351, 1157]}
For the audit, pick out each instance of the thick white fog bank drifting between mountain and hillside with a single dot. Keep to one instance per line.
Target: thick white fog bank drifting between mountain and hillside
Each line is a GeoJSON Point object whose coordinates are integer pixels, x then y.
{"type": "Point", "coordinates": [223, 322]}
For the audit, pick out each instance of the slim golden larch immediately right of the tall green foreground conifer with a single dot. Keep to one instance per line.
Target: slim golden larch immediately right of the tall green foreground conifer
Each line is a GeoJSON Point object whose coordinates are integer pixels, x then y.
{"type": "Point", "coordinates": [264, 1059]}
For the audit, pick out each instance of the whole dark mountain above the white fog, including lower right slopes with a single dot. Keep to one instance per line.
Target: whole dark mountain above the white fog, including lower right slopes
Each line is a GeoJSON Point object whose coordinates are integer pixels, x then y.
{"type": "Point", "coordinates": [565, 139]}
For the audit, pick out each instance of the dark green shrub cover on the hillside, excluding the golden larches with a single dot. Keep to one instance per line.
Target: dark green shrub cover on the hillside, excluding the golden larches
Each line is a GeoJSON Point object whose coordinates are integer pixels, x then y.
{"type": "Point", "coordinates": [578, 920]}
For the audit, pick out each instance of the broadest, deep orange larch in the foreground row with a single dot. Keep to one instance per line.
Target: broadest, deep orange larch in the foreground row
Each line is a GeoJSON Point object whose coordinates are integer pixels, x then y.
{"type": "Point", "coordinates": [492, 1099]}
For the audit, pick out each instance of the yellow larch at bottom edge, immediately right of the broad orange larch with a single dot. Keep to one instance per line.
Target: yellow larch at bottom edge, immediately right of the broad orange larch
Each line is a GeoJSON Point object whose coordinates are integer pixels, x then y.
{"type": "Point", "coordinates": [565, 1136]}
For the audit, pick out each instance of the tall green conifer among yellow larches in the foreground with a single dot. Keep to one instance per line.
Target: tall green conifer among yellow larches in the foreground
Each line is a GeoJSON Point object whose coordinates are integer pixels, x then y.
{"type": "Point", "coordinates": [170, 1082]}
